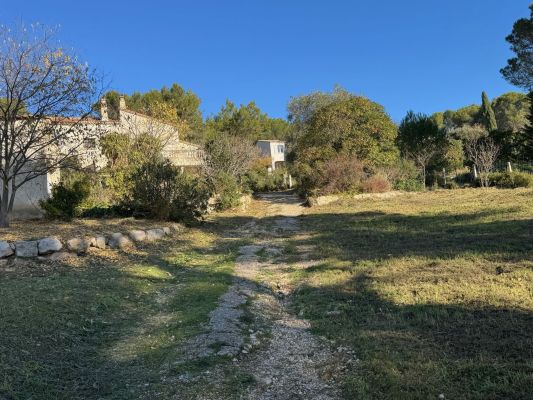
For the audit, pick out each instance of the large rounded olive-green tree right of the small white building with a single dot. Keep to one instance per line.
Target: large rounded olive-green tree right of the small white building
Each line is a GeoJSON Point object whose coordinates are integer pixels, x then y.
{"type": "Point", "coordinates": [331, 129]}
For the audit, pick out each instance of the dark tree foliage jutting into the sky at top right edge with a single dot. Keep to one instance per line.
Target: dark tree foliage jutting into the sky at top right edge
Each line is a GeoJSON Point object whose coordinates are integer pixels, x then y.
{"type": "Point", "coordinates": [519, 69]}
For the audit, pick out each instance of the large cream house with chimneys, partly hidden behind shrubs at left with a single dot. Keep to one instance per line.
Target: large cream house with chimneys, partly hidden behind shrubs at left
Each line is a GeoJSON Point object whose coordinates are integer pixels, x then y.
{"type": "Point", "coordinates": [85, 143]}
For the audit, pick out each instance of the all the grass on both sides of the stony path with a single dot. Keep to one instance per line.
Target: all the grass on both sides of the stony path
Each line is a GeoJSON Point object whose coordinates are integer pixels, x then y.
{"type": "Point", "coordinates": [432, 291]}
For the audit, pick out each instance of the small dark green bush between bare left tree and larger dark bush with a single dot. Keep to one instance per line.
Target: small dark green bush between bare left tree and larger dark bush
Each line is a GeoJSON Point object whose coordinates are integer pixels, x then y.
{"type": "Point", "coordinates": [66, 199]}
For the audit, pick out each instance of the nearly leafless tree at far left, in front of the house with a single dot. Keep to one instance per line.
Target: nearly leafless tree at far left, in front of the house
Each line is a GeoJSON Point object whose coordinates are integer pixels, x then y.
{"type": "Point", "coordinates": [46, 96]}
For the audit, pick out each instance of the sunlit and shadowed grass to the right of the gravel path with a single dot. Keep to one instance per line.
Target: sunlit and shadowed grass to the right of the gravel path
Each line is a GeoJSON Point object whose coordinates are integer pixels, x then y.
{"type": "Point", "coordinates": [433, 291]}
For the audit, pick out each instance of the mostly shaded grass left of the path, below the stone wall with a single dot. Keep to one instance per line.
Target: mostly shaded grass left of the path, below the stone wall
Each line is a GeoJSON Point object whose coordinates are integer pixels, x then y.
{"type": "Point", "coordinates": [109, 325]}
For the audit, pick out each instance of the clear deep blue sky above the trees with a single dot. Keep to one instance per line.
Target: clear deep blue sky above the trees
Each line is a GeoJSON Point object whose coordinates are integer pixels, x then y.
{"type": "Point", "coordinates": [425, 55]}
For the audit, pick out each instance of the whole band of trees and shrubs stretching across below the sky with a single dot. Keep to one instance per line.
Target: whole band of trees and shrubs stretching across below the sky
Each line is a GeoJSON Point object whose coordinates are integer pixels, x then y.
{"type": "Point", "coordinates": [337, 141]}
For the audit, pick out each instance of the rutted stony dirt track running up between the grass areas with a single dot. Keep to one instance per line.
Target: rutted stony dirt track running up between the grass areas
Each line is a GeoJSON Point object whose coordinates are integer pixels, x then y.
{"type": "Point", "coordinates": [285, 360]}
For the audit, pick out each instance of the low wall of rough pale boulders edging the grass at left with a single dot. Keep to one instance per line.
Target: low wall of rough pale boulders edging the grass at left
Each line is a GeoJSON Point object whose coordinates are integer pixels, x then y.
{"type": "Point", "coordinates": [51, 245]}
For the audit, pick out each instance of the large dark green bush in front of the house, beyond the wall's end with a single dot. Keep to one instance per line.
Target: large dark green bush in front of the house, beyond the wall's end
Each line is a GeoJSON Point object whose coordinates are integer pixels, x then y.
{"type": "Point", "coordinates": [161, 191]}
